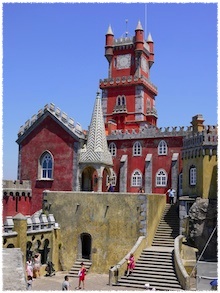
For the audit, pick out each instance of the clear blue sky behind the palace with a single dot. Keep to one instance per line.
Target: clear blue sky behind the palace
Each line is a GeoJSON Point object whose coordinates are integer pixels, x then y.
{"type": "Point", "coordinates": [55, 53]}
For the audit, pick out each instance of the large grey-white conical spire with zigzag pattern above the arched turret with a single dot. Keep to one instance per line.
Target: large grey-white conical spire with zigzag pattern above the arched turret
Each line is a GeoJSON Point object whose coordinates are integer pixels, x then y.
{"type": "Point", "coordinates": [96, 150]}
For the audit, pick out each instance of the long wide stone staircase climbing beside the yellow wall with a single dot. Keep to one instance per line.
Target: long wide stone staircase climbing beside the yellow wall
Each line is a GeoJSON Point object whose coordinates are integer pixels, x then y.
{"type": "Point", "coordinates": [155, 265]}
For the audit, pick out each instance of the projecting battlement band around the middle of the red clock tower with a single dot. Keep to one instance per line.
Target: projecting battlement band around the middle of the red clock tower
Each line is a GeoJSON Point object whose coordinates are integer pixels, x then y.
{"type": "Point", "coordinates": [118, 81]}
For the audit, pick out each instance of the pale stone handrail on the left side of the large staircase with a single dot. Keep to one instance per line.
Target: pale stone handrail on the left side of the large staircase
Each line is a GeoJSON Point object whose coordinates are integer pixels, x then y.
{"type": "Point", "coordinates": [115, 269]}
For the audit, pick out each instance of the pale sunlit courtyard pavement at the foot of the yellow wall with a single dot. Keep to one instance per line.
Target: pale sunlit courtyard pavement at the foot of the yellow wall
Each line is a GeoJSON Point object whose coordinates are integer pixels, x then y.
{"type": "Point", "coordinates": [93, 282]}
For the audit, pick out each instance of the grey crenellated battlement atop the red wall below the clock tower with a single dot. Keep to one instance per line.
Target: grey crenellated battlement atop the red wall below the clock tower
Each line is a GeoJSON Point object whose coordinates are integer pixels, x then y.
{"type": "Point", "coordinates": [149, 131]}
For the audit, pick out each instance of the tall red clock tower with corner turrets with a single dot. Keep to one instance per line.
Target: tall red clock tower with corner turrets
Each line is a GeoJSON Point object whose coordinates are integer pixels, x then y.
{"type": "Point", "coordinates": [128, 96]}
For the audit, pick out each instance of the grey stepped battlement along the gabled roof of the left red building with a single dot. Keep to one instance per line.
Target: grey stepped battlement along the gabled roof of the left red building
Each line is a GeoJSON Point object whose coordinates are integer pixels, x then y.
{"type": "Point", "coordinates": [56, 112]}
